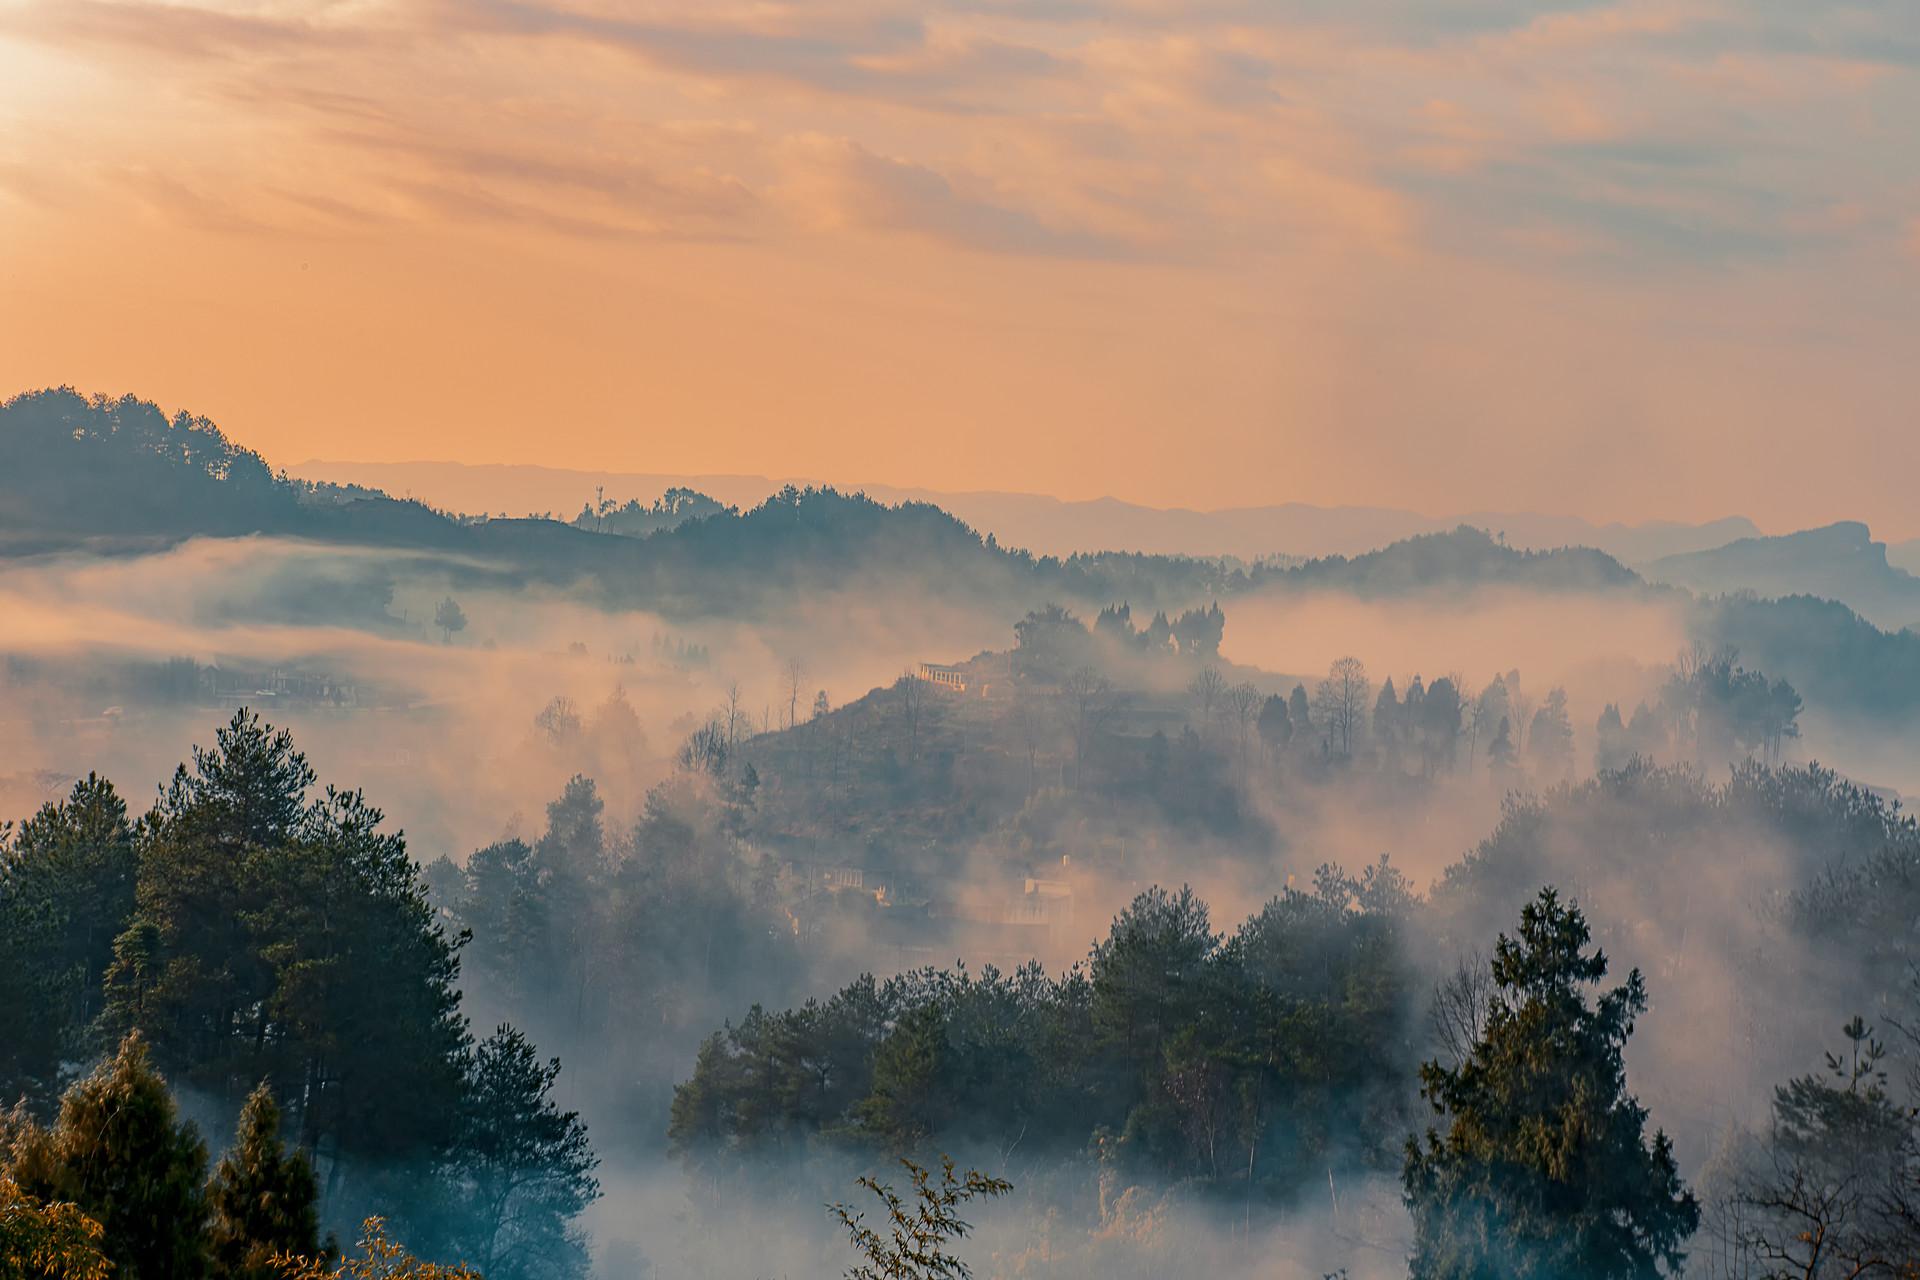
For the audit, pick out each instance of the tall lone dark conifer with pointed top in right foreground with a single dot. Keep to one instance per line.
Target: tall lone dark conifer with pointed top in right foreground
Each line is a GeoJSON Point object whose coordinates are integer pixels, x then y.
{"type": "Point", "coordinates": [1545, 1168]}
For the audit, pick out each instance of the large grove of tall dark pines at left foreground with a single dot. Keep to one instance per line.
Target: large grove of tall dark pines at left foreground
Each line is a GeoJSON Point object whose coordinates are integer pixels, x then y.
{"type": "Point", "coordinates": [251, 932]}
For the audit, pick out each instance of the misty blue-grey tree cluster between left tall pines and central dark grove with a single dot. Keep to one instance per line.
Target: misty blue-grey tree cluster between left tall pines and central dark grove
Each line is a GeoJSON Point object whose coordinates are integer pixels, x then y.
{"type": "Point", "coordinates": [638, 939]}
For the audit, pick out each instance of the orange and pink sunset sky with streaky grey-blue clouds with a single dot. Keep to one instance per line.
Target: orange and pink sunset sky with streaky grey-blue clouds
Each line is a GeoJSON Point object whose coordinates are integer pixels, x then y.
{"type": "Point", "coordinates": [1621, 260]}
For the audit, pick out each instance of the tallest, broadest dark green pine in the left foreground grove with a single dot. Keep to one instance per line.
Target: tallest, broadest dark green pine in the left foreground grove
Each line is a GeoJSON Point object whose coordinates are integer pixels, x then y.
{"type": "Point", "coordinates": [289, 937]}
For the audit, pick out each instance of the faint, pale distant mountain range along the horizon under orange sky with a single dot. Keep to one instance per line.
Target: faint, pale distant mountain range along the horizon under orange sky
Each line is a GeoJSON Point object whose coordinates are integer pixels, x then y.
{"type": "Point", "coordinates": [1038, 523]}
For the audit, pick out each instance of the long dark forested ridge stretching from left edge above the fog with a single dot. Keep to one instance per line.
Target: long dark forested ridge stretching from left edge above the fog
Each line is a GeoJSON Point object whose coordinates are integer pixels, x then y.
{"type": "Point", "coordinates": [108, 475]}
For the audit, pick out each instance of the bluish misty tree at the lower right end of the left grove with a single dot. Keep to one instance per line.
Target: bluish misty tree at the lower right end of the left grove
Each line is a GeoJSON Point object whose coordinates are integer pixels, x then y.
{"type": "Point", "coordinates": [523, 1170]}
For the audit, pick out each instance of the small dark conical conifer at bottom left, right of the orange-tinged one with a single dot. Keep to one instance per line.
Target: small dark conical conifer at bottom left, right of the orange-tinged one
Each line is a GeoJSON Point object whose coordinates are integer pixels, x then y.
{"type": "Point", "coordinates": [264, 1198]}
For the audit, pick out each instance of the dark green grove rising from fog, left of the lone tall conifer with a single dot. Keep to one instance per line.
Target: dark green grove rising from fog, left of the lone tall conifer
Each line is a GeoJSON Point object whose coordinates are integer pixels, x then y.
{"type": "Point", "coordinates": [1232, 1060]}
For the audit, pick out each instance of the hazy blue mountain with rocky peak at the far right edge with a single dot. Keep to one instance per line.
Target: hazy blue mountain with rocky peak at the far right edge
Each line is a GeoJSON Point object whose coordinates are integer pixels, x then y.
{"type": "Point", "coordinates": [1836, 563]}
